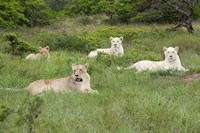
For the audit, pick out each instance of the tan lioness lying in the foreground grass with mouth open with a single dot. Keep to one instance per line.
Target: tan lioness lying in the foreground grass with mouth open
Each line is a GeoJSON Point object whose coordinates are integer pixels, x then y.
{"type": "Point", "coordinates": [78, 81]}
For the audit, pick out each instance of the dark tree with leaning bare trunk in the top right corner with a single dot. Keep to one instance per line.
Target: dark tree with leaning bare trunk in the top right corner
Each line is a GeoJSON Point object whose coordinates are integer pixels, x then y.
{"type": "Point", "coordinates": [170, 11]}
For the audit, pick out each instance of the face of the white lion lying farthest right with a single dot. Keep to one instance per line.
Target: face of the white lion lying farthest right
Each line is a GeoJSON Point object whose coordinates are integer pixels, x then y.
{"type": "Point", "coordinates": [171, 53]}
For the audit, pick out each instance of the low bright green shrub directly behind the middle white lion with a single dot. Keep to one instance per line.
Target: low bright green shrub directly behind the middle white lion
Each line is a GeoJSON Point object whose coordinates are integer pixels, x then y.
{"type": "Point", "coordinates": [100, 37]}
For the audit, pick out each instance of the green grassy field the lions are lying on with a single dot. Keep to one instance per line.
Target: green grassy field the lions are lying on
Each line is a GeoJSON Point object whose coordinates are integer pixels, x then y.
{"type": "Point", "coordinates": [128, 102]}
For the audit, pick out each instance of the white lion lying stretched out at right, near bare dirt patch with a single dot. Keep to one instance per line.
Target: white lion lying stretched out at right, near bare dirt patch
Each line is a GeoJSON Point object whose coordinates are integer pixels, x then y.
{"type": "Point", "coordinates": [171, 62]}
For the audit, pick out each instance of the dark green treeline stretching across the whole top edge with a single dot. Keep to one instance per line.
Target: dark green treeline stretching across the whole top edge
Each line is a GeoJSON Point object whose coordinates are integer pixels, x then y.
{"type": "Point", "coordinates": [42, 12]}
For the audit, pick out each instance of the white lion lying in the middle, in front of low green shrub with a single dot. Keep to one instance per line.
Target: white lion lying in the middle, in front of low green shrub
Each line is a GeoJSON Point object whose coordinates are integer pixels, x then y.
{"type": "Point", "coordinates": [116, 48]}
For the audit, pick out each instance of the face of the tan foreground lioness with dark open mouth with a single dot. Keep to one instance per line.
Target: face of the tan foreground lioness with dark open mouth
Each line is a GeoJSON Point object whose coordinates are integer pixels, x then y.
{"type": "Point", "coordinates": [79, 72]}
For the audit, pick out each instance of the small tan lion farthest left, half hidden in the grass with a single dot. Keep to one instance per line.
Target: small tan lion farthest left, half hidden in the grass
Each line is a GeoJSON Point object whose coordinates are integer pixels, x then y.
{"type": "Point", "coordinates": [43, 54]}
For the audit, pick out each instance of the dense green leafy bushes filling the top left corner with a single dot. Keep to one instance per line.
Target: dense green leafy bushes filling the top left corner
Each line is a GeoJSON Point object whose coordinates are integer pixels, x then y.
{"type": "Point", "coordinates": [24, 13]}
